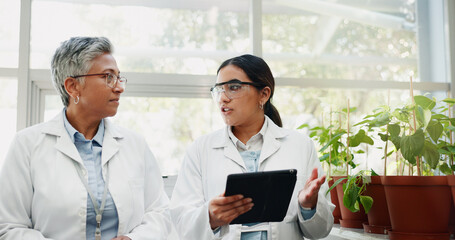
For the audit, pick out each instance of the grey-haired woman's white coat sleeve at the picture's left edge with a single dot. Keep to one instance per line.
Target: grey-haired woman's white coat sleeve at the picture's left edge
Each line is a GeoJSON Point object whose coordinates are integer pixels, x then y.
{"type": "Point", "coordinates": [16, 195]}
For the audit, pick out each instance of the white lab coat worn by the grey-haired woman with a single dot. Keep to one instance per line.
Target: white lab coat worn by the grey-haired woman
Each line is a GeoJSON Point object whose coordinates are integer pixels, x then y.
{"type": "Point", "coordinates": [42, 196]}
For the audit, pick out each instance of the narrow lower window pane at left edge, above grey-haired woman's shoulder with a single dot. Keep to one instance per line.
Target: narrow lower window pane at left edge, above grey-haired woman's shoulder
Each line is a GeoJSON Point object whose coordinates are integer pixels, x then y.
{"type": "Point", "coordinates": [8, 111]}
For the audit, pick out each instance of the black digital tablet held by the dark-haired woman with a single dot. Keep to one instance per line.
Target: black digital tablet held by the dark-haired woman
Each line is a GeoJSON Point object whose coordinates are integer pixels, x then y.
{"type": "Point", "coordinates": [271, 192]}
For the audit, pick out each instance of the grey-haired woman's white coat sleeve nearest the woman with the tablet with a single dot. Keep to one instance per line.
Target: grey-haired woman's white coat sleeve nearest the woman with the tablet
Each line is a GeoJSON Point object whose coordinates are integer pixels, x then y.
{"type": "Point", "coordinates": [156, 222]}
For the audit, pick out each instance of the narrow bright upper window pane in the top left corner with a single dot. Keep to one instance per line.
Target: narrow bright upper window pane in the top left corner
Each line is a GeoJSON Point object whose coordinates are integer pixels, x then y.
{"type": "Point", "coordinates": [9, 32]}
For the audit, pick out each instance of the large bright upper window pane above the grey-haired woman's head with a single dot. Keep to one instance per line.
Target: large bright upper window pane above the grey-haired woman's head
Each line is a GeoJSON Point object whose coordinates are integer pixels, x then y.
{"type": "Point", "coordinates": [146, 38]}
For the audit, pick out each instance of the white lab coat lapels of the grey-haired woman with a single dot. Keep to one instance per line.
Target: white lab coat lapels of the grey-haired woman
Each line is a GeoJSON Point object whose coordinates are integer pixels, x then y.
{"type": "Point", "coordinates": [64, 144]}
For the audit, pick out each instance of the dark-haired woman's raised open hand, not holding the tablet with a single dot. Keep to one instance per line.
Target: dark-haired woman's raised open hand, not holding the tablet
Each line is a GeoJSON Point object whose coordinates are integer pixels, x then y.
{"type": "Point", "coordinates": [308, 196]}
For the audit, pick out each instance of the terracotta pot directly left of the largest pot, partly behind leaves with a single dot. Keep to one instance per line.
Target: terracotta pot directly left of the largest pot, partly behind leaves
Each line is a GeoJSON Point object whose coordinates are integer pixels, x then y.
{"type": "Point", "coordinates": [378, 216]}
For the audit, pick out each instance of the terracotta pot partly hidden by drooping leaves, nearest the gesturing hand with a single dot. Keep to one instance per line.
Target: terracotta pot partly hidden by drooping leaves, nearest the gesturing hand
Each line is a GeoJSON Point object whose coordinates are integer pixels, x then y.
{"type": "Point", "coordinates": [349, 219]}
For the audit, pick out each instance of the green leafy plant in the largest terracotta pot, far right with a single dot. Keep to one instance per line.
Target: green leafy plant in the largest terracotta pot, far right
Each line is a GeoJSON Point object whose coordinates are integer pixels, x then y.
{"type": "Point", "coordinates": [418, 205]}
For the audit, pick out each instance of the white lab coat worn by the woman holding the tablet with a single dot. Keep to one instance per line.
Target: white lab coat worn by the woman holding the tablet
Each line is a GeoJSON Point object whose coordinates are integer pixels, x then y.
{"type": "Point", "coordinates": [203, 176]}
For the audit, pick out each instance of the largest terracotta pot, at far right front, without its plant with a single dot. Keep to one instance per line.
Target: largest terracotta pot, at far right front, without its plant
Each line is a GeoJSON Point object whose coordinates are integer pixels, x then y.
{"type": "Point", "coordinates": [419, 206]}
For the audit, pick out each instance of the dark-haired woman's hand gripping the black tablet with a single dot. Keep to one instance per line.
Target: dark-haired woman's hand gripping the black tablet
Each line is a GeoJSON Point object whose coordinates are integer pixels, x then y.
{"type": "Point", "coordinates": [222, 210]}
